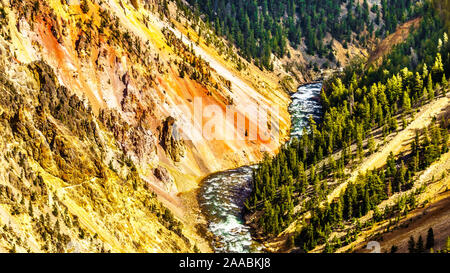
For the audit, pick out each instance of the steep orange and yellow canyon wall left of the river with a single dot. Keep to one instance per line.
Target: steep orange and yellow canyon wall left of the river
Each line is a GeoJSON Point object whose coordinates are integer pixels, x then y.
{"type": "Point", "coordinates": [95, 107]}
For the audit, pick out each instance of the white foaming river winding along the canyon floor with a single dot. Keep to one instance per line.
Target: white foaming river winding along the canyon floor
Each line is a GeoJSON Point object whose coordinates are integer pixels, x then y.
{"type": "Point", "coordinates": [222, 194]}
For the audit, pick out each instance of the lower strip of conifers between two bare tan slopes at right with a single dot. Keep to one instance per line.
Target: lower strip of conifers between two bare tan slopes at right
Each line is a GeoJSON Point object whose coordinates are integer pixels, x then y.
{"type": "Point", "coordinates": [375, 186]}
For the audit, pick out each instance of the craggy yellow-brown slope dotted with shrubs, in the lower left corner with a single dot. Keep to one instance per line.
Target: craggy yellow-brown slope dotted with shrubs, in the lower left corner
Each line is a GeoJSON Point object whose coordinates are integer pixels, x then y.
{"type": "Point", "coordinates": [62, 180]}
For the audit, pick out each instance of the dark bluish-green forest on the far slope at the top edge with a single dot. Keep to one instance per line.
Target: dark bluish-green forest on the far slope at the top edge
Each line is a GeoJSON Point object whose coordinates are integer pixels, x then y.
{"type": "Point", "coordinates": [261, 27]}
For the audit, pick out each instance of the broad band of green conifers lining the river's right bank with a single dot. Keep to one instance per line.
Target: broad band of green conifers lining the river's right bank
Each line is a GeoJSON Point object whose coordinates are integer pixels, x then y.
{"type": "Point", "coordinates": [355, 104]}
